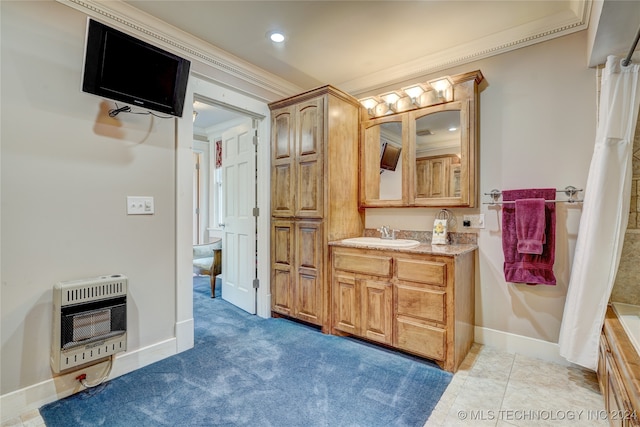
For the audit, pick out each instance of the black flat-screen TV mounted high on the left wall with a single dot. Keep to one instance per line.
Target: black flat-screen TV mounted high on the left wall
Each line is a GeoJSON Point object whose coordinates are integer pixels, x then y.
{"type": "Point", "coordinates": [122, 68]}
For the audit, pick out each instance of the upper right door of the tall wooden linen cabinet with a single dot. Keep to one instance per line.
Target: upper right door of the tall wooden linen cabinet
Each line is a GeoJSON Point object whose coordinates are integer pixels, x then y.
{"type": "Point", "coordinates": [310, 144]}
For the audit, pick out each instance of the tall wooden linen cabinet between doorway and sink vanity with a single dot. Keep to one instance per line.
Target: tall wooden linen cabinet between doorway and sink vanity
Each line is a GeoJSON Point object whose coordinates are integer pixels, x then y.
{"type": "Point", "coordinates": [314, 197]}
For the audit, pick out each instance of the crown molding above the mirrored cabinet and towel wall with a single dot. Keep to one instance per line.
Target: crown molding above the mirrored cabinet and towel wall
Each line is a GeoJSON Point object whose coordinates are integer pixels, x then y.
{"type": "Point", "coordinates": [560, 24]}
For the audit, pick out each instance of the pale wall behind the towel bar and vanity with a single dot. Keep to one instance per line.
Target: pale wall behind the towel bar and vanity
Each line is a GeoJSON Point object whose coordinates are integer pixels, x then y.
{"type": "Point", "coordinates": [537, 129]}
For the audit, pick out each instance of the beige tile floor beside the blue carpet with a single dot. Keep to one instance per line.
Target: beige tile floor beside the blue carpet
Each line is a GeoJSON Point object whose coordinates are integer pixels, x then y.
{"type": "Point", "coordinates": [494, 388]}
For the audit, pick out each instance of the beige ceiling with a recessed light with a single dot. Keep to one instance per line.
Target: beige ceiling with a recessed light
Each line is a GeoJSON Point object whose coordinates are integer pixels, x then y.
{"type": "Point", "coordinates": [337, 42]}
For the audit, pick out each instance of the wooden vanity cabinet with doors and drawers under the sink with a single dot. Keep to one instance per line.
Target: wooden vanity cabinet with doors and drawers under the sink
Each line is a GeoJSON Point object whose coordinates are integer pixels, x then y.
{"type": "Point", "coordinates": [419, 303]}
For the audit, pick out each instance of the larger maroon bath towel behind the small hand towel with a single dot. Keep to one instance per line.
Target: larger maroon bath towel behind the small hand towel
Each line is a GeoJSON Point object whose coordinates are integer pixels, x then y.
{"type": "Point", "coordinates": [523, 267]}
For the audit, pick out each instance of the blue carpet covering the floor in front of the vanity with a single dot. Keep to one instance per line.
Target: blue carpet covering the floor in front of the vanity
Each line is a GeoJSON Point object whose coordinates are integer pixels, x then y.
{"type": "Point", "coordinates": [249, 371]}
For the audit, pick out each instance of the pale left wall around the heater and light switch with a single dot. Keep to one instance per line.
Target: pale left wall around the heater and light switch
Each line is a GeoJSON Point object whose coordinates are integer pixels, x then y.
{"type": "Point", "coordinates": [66, 172]}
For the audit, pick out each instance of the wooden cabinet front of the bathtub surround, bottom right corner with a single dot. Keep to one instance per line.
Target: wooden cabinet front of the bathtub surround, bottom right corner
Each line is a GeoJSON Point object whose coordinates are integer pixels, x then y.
{"type": "Point", "coordinates": [619, 374]}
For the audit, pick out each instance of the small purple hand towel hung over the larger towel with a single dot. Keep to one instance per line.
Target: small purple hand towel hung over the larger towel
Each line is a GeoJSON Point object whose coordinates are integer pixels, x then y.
{"type": "Point", "coordinates": [530, 225]}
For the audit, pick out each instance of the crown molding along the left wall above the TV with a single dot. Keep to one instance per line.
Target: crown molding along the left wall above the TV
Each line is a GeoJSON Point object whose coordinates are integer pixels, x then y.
{"type": "Point", "coordinates": [231, 71]}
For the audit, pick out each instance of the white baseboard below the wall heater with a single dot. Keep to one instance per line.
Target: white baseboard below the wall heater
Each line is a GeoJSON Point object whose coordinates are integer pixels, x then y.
{"type": "Point", "coordinates": [18, 402]}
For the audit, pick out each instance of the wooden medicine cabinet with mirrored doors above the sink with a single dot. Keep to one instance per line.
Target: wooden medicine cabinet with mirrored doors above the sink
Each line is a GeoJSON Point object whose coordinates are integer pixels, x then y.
{"type": "Point", "coordinates": [437, 166]}
